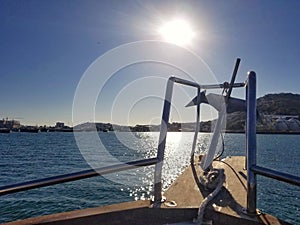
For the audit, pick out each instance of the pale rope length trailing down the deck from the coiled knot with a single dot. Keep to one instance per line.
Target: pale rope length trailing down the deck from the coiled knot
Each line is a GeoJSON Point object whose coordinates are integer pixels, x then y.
{"type": "Point", "coordinates": [208, 198]}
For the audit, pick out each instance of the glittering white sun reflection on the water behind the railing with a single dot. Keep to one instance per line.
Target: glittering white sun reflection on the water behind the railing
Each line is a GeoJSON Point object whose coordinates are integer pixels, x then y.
{"type": "Point", "coordinates": [176, 159]}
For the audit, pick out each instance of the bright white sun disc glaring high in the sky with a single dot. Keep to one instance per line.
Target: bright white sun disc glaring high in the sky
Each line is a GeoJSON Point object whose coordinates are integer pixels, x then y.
{"type": "Point", "coordinates": [178, 32]}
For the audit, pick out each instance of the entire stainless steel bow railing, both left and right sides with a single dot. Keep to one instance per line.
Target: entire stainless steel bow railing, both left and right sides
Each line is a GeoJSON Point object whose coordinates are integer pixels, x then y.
{"type": "Point", "coordinates": [252, 168]}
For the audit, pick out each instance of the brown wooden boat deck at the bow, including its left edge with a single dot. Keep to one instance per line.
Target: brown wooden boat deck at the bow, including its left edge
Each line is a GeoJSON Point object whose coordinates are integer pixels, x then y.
{"type": "Point", "coordinates": [226, 208]}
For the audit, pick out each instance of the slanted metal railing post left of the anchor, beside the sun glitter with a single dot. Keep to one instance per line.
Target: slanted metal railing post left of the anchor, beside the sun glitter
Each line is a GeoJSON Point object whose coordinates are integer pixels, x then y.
{"type": "Point", "coordinates": [162, 143]}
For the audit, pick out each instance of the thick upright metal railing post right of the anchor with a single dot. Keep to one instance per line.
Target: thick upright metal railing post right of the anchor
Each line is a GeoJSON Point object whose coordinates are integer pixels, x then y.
{"type": "Point", "coordinates": [251, 142]}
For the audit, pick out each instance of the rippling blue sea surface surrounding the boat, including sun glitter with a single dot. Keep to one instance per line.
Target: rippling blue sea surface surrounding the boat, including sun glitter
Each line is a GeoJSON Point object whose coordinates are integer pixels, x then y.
{"type": "Point", "coordinates": [28, 156]}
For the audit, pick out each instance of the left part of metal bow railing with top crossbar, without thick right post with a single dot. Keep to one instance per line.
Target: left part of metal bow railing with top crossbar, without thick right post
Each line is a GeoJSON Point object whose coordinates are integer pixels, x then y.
{"type": "Point", "coordinates": [158, 161]}
